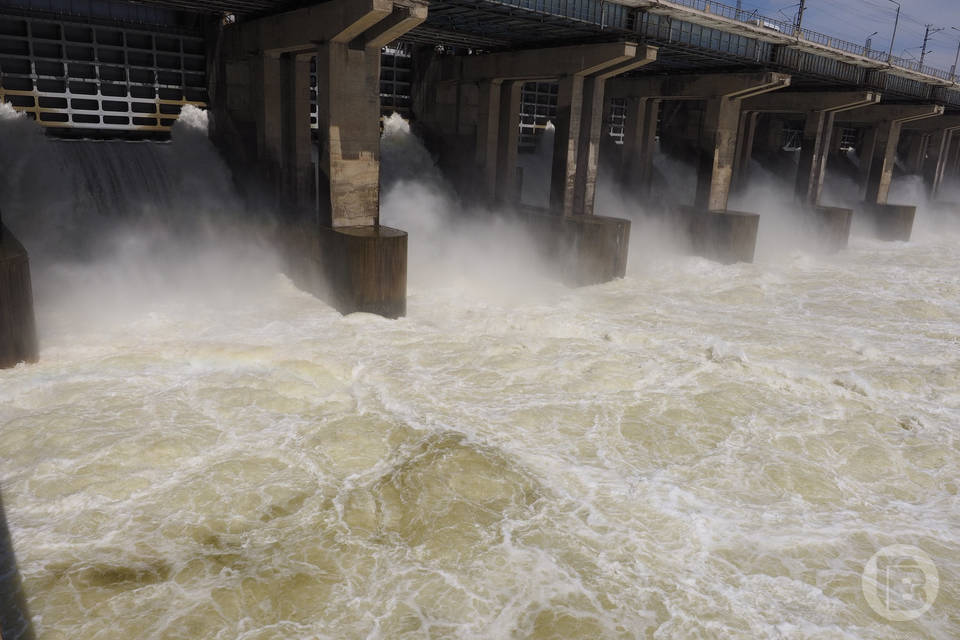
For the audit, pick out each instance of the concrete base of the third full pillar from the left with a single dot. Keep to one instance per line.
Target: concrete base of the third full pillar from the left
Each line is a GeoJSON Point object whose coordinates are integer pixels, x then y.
{"type": "Point", "coordinates": [723, 236]}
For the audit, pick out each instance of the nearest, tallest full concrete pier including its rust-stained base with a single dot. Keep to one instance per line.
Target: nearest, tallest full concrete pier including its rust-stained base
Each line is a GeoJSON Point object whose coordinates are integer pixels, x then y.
{"type": "Point", "coordinates": [341, 252]}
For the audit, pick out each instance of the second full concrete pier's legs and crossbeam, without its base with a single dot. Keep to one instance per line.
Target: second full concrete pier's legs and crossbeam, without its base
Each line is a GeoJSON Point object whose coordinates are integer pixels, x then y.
{"type": "Point", "coordinates": [498, 79]}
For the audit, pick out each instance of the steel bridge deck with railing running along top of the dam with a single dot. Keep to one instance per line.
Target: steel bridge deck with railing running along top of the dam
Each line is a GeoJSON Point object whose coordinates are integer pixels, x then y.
{"type": "Point", "coordinates": [721, 29]}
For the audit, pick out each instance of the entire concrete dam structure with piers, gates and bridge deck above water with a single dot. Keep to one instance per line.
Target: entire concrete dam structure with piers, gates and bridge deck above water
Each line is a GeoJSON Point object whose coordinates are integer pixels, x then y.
{"type": "Point", "coordinates": [296, 98]}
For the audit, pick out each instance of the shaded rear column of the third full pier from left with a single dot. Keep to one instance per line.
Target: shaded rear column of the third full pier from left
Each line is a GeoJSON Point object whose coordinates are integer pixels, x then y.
{"type": "Point", "coordinates": [639, 144]}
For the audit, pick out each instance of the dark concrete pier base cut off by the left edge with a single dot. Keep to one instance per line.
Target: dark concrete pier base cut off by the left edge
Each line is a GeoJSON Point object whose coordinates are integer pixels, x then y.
{"type": "Point", "coordinates": [18, 330]}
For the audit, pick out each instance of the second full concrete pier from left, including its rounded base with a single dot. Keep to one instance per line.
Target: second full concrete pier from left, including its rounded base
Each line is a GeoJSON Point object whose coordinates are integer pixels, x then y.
{"type": "Point", "coordinates": [587, 249]}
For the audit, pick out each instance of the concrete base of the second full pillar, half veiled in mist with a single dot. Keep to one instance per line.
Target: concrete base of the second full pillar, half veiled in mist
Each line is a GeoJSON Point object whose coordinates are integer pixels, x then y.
{"type": "Point", "coordinates": [588, 249]}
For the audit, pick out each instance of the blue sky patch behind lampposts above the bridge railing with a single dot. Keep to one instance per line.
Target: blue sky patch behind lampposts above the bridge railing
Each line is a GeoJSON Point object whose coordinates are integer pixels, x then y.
{"type": "Point", "coordinates": [854, 20]}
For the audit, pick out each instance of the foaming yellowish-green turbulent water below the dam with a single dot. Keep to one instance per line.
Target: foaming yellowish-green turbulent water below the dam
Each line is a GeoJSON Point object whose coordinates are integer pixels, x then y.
{"type": "Point", "coordinates": [696, 450]}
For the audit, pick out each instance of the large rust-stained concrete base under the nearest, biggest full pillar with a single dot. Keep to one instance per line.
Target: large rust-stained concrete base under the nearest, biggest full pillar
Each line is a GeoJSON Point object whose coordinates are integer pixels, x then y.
{"type": "Point", "coordinates": [351, 268]}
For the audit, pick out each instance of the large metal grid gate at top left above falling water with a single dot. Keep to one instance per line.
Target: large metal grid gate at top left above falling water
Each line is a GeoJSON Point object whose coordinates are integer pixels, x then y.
{"type": "Point", "coordinates": [69, 74]}
